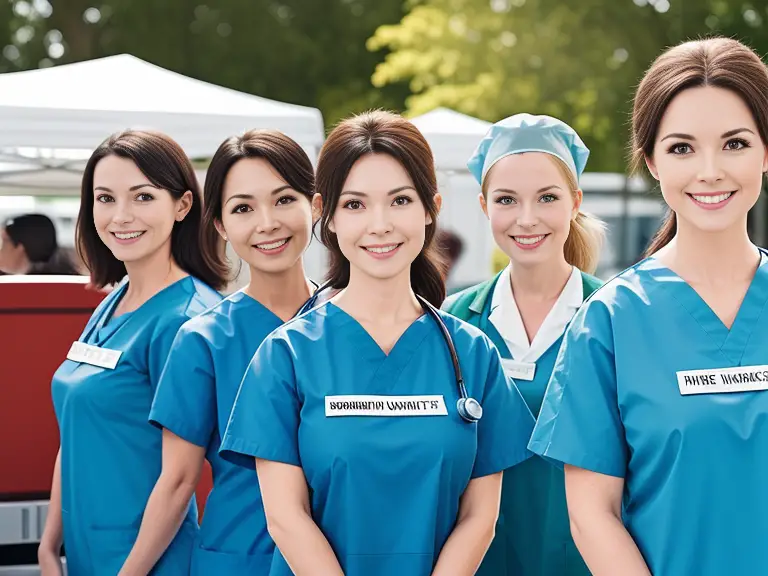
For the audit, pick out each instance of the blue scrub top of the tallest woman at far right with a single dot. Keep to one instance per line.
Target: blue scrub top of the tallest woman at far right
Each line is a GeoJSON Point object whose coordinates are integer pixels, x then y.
{"type": "Point", "coordinates": [619, 404]}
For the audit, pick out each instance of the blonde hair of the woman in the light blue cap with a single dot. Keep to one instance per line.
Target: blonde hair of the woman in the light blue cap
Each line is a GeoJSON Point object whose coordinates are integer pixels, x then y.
{"type": "Point", "coordinates": [587, 233]}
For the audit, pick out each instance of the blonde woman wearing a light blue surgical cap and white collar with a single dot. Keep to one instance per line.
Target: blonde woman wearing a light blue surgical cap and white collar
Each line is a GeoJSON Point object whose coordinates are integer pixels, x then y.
{"type": "Point", "coordinates": [528, 168]}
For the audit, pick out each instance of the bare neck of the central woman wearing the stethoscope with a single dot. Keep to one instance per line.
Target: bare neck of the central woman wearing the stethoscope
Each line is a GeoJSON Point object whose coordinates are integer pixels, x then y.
{"type": "Point", "coordinates": [379, 301]}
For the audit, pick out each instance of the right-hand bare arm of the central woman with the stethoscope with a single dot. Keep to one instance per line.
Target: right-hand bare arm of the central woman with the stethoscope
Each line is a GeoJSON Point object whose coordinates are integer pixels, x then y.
{"type": "Point", "coordinates": [478, 511]}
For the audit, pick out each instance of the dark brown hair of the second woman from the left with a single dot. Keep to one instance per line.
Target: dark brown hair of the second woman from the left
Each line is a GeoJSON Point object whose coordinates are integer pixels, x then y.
{"type": "Point", "coordinates": [288, 159]}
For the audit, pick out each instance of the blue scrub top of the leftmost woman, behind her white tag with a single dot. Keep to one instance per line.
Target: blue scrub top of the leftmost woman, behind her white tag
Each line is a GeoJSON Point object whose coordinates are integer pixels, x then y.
{"type": "Point", "coordinates": [110, 454]}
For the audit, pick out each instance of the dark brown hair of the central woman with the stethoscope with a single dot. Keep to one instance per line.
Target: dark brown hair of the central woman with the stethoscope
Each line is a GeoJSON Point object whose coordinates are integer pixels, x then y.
{"type": "Point", "coordinates": [380, 132]}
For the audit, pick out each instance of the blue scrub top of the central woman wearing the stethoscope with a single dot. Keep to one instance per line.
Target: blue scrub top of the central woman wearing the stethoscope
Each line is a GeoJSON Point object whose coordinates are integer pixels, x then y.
{"type": "Point", "coordinates": [384, 490]}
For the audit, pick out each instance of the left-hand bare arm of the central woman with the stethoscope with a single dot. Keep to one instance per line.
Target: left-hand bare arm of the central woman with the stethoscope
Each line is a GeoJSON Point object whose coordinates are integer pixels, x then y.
{"type": "Point", "coordinates": [289, 520]}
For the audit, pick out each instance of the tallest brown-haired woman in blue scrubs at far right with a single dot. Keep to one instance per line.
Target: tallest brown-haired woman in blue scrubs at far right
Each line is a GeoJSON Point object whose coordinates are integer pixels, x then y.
{"type": "Point", "coordinates": [658, 404]}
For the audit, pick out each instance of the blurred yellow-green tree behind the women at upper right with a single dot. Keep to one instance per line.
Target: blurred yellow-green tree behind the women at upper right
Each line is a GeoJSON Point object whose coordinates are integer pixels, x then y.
{"type": "Point", "coordinates": [579, 61]}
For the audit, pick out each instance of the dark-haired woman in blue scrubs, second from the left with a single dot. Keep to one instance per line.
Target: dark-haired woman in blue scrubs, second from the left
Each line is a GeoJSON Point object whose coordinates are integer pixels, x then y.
{"type": "Point", "coordinates": [258, 194]}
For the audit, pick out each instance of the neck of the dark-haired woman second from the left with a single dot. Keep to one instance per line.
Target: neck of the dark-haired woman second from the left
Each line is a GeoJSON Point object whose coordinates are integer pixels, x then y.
{"type": "Point", "coordinates": [282, 293]}
